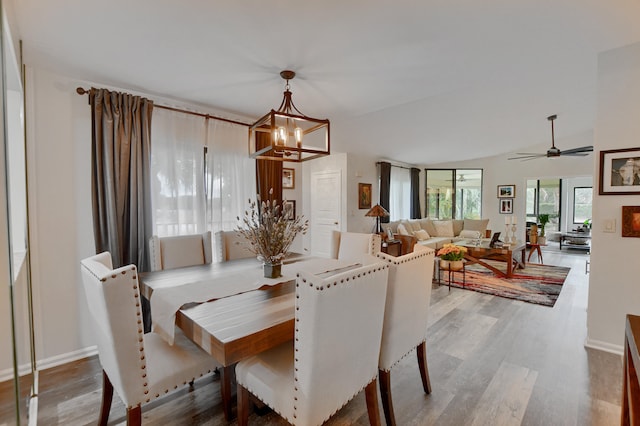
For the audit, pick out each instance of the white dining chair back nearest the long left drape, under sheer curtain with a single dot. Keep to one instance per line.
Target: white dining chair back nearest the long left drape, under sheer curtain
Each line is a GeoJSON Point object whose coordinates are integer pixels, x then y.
{"type": "Point", "coordinates": [179, 251]}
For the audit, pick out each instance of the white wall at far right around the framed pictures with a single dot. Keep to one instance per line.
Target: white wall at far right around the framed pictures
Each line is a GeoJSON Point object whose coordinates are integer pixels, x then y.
{"type": "Point", "coordinates": [614, 288]}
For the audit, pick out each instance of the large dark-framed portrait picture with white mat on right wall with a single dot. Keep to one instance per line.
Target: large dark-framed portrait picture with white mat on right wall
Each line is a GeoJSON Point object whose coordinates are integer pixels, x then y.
{"type": "Point", "coordinates": [620, 172]}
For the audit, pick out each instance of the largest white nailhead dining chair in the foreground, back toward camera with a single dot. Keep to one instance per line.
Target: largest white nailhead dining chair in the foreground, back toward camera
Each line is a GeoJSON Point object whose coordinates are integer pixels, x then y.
{"type": "Point", "coordinates": [338, 325]}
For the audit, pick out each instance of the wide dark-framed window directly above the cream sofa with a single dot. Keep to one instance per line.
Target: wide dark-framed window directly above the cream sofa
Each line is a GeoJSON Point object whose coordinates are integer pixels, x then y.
{"type": "Point", "coordinates": [454, 193]}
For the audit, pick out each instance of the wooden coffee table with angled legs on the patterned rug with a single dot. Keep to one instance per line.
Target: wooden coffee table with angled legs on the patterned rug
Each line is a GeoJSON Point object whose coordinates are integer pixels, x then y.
{"type": "Point", "coordinates": [479, 252]}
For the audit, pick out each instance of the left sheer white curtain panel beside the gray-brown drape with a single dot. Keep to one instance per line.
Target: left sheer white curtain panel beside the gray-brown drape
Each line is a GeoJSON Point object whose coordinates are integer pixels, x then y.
{"type": "Point", "coordinates": [177, 170]}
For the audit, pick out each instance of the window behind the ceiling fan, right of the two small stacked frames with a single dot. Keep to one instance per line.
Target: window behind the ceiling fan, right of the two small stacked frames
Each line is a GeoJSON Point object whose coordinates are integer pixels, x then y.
{"type": "Point", "coordinates": [543, 196]}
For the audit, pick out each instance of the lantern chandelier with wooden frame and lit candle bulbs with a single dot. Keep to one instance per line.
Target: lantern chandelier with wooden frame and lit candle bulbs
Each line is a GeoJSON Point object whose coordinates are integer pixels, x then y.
{"type": "Point", "coordinates": [287, 134]}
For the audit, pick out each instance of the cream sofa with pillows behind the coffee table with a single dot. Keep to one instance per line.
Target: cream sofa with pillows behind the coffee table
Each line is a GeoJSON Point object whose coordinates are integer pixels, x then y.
{"type": "Point", "coordinates": [436, 233]}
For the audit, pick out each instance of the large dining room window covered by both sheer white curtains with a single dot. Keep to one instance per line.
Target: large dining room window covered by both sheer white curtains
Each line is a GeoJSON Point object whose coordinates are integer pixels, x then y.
{"type": "Point", "coordinates": [201, 174]}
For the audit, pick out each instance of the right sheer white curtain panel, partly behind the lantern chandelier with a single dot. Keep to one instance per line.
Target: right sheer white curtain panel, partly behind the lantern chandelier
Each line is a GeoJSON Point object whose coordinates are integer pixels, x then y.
{"type": "Point", "coordinates": [231, 174]}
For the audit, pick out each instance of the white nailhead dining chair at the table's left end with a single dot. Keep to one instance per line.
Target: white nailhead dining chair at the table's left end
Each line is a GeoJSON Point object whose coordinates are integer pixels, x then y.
{"type": "Point", "coordinates": [140, 367]}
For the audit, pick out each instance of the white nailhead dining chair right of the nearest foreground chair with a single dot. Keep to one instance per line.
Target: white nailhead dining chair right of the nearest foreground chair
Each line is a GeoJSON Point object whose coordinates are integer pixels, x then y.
{"type": "Point", "coordinates": [405, 318]}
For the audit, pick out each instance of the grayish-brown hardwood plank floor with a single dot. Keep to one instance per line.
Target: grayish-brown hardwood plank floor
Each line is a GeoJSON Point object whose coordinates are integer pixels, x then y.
{"type": "Point", "coordinates": [492, 361]}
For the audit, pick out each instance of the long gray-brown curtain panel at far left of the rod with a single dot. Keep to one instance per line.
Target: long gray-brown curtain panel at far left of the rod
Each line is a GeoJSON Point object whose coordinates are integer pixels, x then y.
{"type": "Point", "coordinates": [120, 156]}
